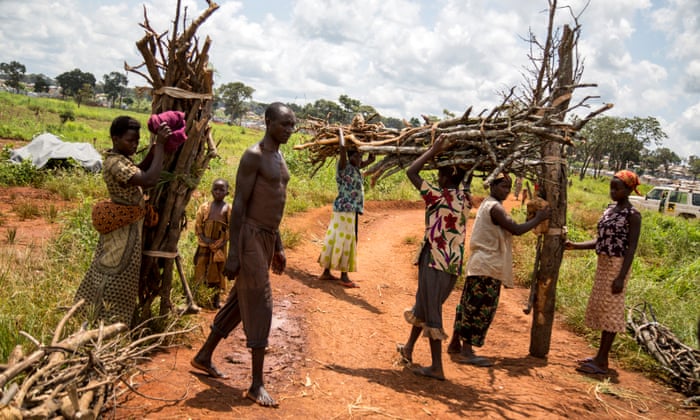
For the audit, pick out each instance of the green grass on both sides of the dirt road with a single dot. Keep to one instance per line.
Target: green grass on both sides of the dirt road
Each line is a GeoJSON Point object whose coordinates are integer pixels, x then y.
{"type": "Point", "coordinates": [33, 285]}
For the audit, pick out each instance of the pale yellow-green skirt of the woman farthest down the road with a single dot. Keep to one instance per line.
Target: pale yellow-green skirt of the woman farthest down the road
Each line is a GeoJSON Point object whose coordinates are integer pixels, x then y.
{"type": "Point", "coordinates": [339, 250]}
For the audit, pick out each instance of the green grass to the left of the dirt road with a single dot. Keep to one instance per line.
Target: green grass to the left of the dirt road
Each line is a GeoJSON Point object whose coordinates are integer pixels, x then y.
{"type": "Point", "coordinates": [32, 294]}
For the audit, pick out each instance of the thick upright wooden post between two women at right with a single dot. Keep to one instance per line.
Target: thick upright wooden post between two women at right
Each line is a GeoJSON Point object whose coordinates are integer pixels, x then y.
{"type": "Point", "coordinates": [554, 184]}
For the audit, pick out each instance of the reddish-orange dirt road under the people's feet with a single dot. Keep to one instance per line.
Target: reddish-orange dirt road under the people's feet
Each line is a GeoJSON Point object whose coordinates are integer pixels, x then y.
{"type": "Point", "coordinates": [333, 350]}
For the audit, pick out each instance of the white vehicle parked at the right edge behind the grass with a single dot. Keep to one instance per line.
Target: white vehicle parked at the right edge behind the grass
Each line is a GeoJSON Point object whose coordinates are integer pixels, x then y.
{"type": "Point", "coordinates": [672, 200]}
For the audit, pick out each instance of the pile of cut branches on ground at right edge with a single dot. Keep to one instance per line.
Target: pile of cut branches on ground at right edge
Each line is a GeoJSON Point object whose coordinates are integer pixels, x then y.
{"type": "Point", "coordinates": [680, 362]}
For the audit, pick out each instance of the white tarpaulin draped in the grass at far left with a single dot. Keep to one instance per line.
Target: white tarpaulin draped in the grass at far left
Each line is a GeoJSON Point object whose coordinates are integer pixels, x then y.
{"type": "Point", "coordinates": [47, 146]}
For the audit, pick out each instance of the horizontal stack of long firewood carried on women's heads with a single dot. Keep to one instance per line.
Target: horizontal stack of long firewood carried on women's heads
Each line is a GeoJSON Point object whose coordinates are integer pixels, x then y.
{"type": "Point", "coordinates": [507, 140]}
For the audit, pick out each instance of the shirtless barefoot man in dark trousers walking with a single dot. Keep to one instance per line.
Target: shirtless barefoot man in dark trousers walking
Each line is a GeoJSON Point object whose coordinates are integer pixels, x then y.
{"type": "Point", "coordinates": [255, 247]}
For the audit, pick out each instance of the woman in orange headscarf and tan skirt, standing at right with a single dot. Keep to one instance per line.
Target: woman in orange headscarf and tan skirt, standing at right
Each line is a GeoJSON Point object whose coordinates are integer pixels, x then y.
{"type": "Point", "coordinates": [618, 235]}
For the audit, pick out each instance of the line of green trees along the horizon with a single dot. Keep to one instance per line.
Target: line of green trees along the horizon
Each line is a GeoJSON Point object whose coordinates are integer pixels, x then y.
{"type": "Point", "coordinates": [609, 142]}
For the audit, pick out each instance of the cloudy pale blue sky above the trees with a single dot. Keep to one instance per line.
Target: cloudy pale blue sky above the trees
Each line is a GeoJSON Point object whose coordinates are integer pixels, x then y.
{"type": "Point", "coordinates": [405, 58]}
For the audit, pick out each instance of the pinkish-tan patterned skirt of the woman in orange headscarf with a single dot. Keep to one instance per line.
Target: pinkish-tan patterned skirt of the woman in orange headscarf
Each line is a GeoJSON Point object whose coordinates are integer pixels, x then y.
{"type": "Point", "coordinates": [606, 311]}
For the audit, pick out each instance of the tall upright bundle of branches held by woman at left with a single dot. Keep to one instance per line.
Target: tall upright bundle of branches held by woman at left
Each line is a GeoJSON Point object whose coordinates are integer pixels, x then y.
{"type": "Point", "coordinates": [181, 78]}
